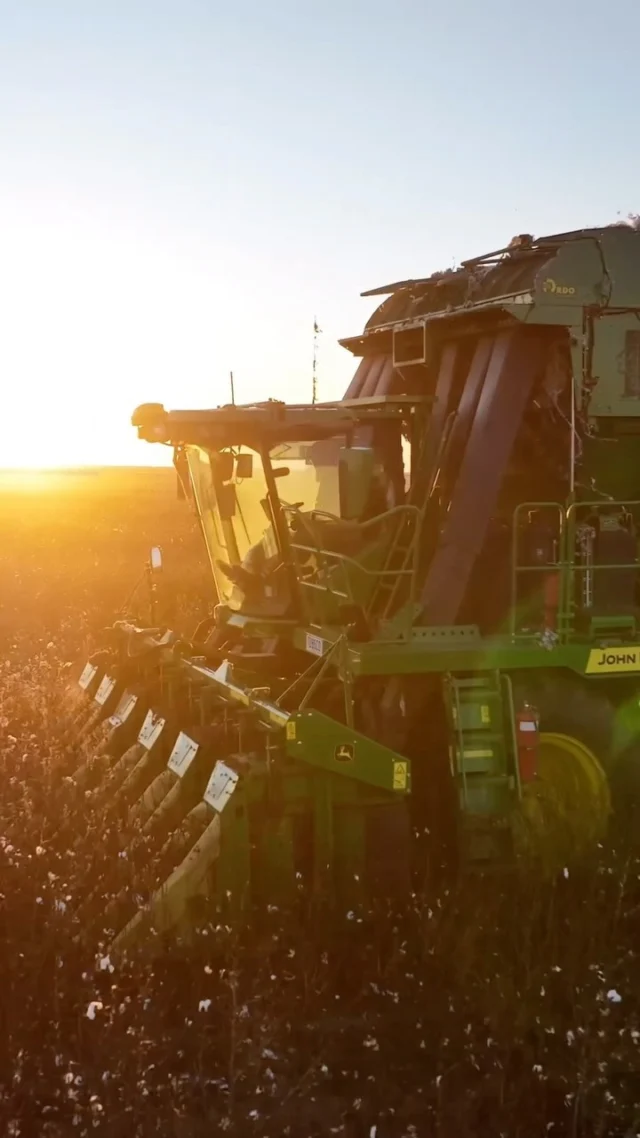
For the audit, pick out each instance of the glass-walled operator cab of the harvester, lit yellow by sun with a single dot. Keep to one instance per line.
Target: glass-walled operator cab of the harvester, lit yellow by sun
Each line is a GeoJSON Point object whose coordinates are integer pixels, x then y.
{"type": "Point", "coordinates": [285, 523]}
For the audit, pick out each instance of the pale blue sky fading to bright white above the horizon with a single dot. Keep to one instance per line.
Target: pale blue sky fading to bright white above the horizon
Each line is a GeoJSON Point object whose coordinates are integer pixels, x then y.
{"type": "Point", "coordinates": [186, 185]}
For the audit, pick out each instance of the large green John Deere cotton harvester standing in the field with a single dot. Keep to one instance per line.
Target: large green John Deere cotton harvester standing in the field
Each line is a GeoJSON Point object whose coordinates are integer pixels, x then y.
{"type": "Point", "coordinates": [426, 645]}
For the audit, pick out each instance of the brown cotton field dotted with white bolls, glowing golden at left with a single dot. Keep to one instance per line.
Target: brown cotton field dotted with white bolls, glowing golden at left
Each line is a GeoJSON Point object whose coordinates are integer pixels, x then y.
{"type": "Point", "coordinates": [510, 1008]}
